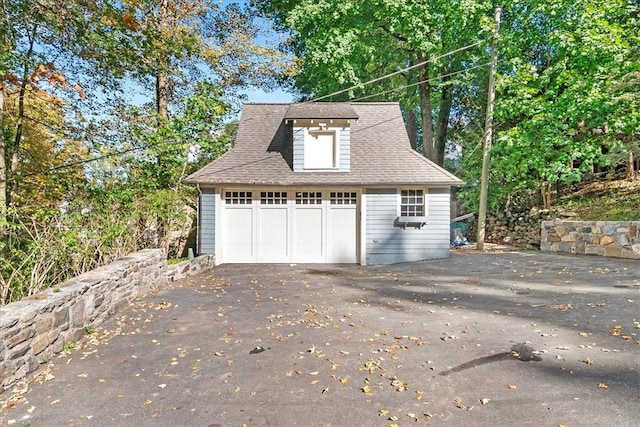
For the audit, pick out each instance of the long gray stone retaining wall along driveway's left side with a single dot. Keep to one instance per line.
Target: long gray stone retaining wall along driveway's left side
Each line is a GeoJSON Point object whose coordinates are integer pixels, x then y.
{"type": "Point", "coordinates": [36, 328]}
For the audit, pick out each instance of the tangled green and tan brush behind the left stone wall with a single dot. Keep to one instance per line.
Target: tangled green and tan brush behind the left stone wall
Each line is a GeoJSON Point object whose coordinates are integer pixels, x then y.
{"type": "Point", "coordinates": [44, 248]}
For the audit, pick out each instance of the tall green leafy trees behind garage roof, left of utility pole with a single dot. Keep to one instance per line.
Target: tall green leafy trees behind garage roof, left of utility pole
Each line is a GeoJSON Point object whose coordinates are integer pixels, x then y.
{"type": "Point", "coordinates": [341, 44]}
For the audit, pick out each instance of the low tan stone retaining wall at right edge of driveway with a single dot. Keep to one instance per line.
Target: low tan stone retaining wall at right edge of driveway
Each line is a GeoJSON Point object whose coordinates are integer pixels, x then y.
{"type": "Point", "coordinates": [619, 239]}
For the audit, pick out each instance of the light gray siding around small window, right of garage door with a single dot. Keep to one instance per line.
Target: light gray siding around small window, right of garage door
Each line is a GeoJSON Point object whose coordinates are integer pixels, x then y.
{"type": "Point", "coordinates": [387, 242]}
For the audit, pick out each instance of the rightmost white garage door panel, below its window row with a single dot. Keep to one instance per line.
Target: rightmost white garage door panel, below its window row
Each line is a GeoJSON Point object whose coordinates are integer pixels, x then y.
{"type": "Point", "coordinates": [341, 235]}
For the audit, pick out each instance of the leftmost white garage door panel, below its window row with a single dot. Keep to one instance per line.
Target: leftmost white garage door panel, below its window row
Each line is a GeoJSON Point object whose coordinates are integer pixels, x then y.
{"type": "Point", "coordinates": [238, 235]}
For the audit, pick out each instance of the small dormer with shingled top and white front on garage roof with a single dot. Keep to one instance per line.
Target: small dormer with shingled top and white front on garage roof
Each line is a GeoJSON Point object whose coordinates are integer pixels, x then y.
{"type": "Point", "coordinates": [321, 136]}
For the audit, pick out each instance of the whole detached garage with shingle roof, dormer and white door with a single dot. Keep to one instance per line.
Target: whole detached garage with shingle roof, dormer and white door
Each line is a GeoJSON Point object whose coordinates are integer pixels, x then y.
{"type": "Point", "coordinates": [323, 183]}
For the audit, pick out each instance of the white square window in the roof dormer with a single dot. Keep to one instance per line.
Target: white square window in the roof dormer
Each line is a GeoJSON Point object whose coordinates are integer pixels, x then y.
{"type": "Point", "coordinates": [321, 149]}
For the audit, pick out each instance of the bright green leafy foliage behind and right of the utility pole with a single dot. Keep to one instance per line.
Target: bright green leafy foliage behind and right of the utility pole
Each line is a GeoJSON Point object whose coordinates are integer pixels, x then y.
{"type": "Point", "coordinates": [560, 62]}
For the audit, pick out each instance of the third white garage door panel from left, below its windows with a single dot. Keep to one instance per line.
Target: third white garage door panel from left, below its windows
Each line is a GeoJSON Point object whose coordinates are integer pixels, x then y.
{"type": "Point", "coordinates": [307, 235]}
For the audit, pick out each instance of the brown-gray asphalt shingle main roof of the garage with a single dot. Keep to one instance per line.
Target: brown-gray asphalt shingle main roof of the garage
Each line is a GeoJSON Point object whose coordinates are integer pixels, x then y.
{"type": "Point", "coordinates": [381, 153]}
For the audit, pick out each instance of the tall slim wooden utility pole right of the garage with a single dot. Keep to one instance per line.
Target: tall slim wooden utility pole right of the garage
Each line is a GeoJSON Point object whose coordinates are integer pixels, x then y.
{"type": "Point", "coordinates": [488, 134]}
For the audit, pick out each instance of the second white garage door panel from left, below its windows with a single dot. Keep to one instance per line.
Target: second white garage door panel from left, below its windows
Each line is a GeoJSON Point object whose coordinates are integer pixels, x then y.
{"type": "Point", "coordinates": [273, 235]}
